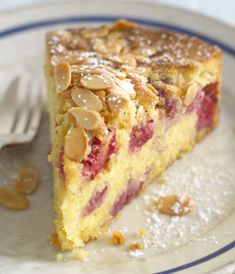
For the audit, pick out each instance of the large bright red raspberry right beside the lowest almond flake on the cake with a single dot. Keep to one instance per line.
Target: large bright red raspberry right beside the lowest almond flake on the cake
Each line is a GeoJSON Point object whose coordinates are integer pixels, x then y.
{"type": "Point", "coordinates": [98, 157]}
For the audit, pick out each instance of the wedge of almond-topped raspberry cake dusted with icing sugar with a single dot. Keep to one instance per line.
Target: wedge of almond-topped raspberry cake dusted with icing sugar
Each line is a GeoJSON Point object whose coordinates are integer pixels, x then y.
{"type": "Point", "coordinates": [125, 102]}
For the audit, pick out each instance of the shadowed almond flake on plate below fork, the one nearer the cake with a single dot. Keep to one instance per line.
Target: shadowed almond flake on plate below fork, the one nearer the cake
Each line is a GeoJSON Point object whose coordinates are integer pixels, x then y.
{"type": "Point", "coordinates": [26, 180]}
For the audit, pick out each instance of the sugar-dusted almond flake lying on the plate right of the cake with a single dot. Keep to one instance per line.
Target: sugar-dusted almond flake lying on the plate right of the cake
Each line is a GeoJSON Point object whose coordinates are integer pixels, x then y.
{"type": "Point", "coordinates": [175, 205]}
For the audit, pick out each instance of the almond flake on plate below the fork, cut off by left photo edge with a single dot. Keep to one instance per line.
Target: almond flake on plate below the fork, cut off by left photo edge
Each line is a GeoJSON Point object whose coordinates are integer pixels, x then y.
{"type": "Point", "coordinates": [9, 198]}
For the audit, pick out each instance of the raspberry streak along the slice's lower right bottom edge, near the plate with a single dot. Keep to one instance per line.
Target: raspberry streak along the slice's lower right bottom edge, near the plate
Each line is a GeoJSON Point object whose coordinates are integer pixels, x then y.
{"type": "Point", "coordinates": [131, 191]}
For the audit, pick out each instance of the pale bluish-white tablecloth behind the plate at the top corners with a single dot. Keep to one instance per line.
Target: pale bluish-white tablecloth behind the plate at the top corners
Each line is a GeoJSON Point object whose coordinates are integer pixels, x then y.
{"type": "Point", "coordinates": [221, 9]}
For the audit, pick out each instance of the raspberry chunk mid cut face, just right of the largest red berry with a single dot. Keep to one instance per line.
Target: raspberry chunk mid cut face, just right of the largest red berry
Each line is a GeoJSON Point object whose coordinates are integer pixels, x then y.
{"type": "Point", "coordinates": [140, 135]}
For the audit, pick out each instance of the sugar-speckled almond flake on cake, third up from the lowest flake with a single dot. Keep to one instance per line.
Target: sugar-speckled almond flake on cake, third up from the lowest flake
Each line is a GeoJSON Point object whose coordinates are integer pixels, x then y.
{"type": "Point", "coordinates": [85, 98]}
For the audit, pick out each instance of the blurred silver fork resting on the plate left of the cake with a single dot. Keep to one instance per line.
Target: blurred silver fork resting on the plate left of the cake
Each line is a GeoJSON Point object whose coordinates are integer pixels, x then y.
{"type": "Point", "coordinates": [20, 111]}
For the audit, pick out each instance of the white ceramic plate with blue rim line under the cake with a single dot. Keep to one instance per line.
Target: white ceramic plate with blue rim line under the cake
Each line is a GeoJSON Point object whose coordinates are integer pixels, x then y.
{"type": "Point", "coordinates": [200, 243]}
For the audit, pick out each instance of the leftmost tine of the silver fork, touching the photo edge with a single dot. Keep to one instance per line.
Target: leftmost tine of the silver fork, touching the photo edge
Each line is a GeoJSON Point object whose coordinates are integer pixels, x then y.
{"type": "Point", "coordinates": [8, 107]}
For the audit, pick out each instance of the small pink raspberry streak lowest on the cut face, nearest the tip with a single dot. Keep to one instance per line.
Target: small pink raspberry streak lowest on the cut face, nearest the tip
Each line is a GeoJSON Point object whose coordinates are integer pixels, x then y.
{"type": "Point", "coordinates": [95, 202]}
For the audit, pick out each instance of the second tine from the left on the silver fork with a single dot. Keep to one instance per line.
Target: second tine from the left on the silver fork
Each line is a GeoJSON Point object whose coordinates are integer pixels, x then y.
{"type": "Point", "coordinates": [23, 110]}
